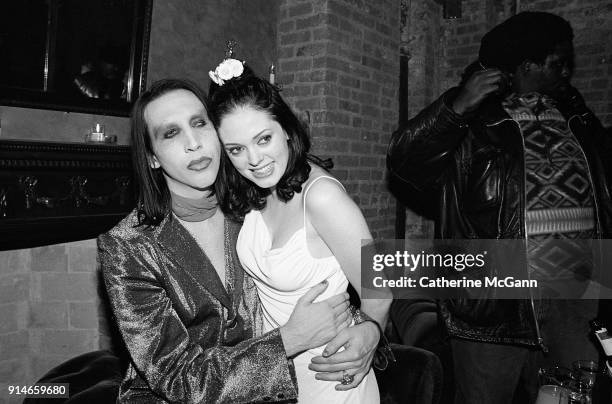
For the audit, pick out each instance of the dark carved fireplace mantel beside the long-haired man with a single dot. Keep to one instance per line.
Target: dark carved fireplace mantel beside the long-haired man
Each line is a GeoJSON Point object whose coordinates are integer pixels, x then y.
{"type": "Point", "coordinates": [59, 192]}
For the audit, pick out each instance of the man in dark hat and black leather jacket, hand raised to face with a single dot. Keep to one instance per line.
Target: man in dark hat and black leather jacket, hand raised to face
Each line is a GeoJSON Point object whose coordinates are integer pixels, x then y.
{"type": "Point", "coordinates": [479, 151]}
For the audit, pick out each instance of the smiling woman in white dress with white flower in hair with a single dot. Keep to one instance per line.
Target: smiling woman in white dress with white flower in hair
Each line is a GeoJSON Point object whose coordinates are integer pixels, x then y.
{"type": "Point", "coordinates": [300, 226]}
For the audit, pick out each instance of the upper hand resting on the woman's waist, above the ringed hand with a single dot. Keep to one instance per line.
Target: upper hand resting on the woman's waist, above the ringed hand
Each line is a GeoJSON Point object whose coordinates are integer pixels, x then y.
{"type": "Point", "coordinates": [314, 324]}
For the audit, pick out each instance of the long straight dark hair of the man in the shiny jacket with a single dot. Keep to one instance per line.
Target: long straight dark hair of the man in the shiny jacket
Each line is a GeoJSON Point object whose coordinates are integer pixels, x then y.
{"type": "Point", "coordinates": [153, 195]}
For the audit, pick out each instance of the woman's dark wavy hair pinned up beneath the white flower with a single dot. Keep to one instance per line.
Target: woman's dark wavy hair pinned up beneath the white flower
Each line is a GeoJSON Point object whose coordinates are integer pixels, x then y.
{"type": "Point", "coordinates": [237, 194]}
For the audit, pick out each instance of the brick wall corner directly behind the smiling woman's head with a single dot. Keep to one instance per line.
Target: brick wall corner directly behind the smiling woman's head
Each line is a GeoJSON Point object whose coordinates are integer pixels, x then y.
{"type": "Point", "coordinates": [339, 67]}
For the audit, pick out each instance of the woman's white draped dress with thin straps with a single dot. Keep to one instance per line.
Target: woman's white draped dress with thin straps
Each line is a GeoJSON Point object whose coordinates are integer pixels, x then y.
{"type": "Point", "coordinates": [282, 275]}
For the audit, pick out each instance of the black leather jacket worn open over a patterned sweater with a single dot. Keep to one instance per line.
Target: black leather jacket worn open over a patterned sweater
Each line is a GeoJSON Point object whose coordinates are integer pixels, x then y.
{"type": "Point", "coordinates": [471, 172]}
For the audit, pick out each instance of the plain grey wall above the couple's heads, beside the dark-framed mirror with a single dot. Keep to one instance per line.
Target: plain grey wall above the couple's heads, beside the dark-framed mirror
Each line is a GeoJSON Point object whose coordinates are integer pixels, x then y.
{"type": "Point", "coordinates": [188, 37]}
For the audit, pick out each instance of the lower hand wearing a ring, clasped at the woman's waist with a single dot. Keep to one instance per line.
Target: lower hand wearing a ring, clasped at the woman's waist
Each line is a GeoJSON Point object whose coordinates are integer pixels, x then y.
{"type": "Point", "coordinates": [359, 342]}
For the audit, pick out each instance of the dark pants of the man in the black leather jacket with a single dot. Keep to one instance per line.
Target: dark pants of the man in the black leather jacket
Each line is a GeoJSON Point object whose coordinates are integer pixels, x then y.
{"type": "Point", "coordinates": [493, 373]}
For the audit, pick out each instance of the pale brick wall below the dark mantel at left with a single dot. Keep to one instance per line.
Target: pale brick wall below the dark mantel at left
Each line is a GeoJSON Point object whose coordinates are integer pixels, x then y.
{"type": "Point", "coordinates": [48, 309]}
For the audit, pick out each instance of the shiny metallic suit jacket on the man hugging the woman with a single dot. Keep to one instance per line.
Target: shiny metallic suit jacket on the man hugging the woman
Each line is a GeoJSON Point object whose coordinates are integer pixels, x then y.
{"type": "Point", "coordinates": [189, 340]}
